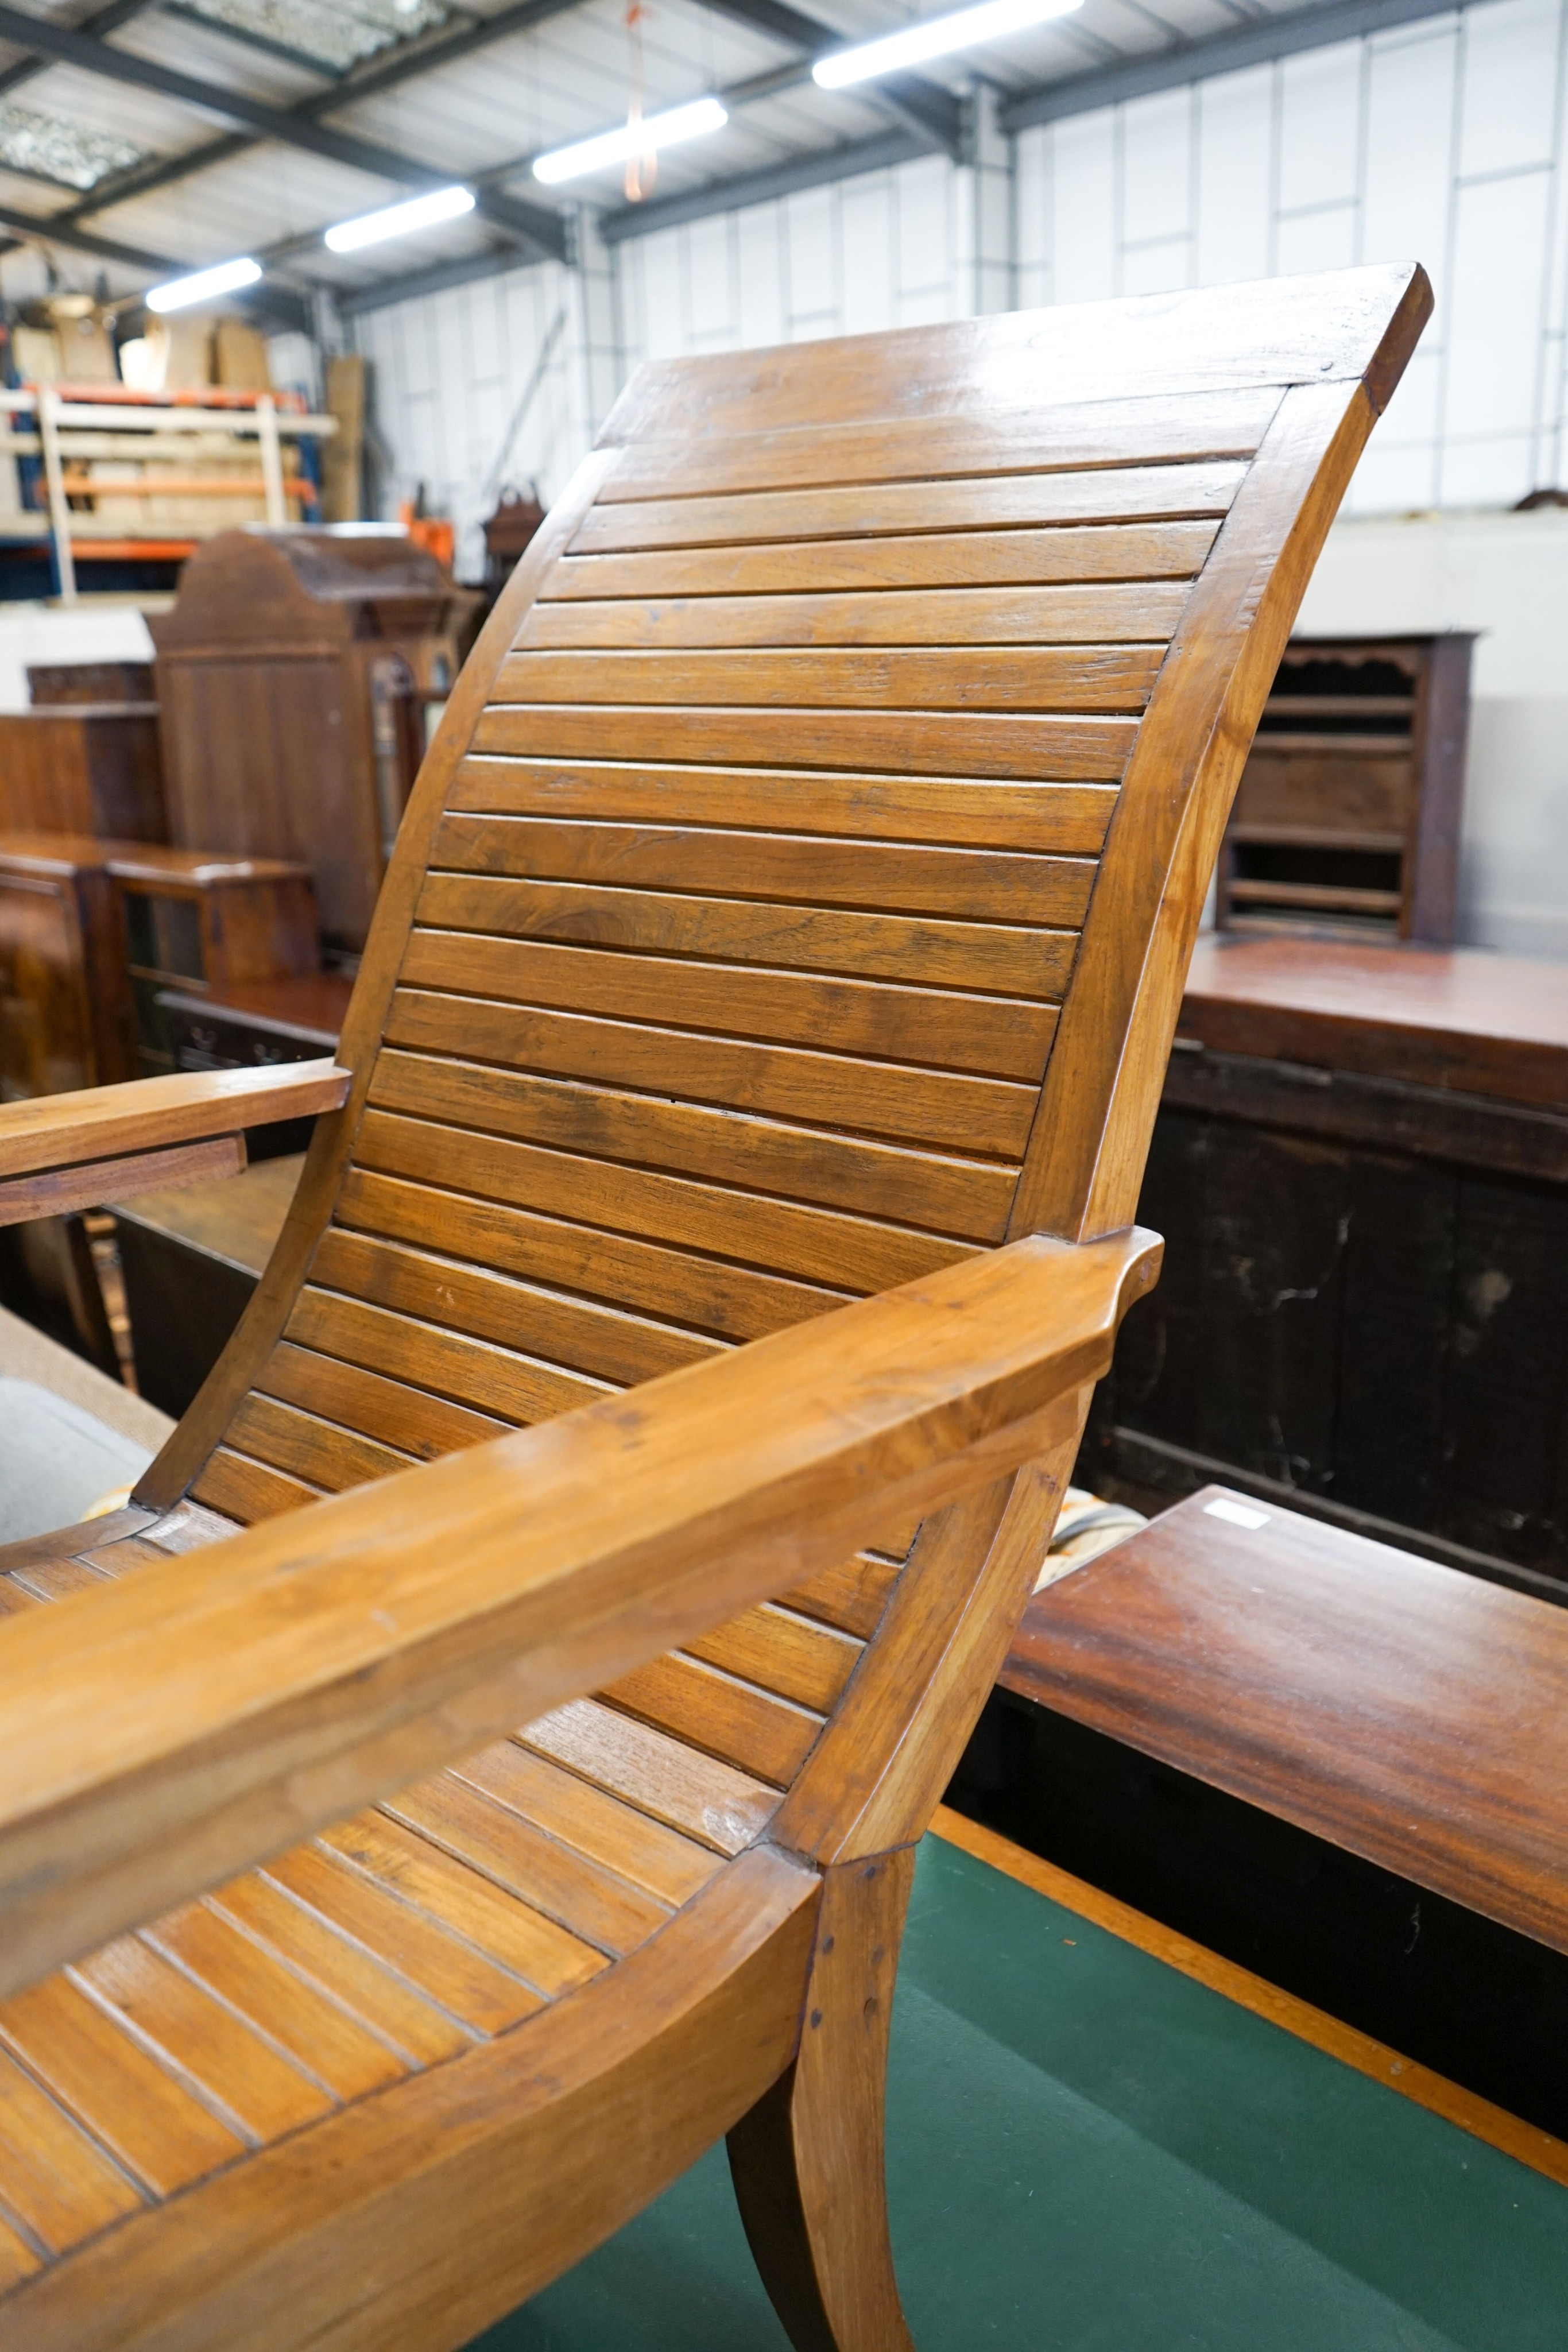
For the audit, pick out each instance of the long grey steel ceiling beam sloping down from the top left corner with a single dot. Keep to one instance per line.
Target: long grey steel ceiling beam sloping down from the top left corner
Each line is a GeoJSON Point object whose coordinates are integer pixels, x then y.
{"type": "Point", "coordinates": [535, 227]}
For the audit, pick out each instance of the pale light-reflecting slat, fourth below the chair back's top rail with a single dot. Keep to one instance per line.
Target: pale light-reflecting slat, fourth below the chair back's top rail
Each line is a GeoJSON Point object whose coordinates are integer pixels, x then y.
{"type": "Point", "coordinates": [1113, 613]}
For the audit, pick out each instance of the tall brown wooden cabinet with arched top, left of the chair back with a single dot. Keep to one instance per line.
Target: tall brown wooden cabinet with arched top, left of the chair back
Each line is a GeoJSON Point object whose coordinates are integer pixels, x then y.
{"type": "Point", "coordinates": [293, 681]}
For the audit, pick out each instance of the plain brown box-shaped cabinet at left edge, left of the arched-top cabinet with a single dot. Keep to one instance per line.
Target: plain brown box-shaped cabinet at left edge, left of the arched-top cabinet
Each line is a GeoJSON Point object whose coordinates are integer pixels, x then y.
{"type": "Point", "coordinates": [83, 768]}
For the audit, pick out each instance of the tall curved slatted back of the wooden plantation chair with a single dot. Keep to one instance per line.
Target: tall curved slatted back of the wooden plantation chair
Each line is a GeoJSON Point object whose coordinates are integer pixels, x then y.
{"type": "Point", "coordinates": [800, 890]}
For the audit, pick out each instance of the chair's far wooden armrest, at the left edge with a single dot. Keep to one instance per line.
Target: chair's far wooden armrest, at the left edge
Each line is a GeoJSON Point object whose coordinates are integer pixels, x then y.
{"type": "Point", "coordinates": [74, 1151]}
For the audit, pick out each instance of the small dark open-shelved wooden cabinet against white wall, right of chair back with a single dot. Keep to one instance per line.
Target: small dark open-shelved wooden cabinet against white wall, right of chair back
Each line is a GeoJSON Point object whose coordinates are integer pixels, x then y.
{"type": "Point", "coordinates": [1348, 815]}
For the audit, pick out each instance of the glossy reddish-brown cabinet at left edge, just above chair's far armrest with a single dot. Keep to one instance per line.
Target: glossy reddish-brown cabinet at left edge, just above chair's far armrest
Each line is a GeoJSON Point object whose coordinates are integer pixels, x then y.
{"type": "Point", "coordinates": [65, 996]}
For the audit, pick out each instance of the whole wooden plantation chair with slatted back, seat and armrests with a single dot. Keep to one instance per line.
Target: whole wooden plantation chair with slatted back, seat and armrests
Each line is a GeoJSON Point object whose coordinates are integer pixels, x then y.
{"type": "Point", "coordinates": [744, 1111]}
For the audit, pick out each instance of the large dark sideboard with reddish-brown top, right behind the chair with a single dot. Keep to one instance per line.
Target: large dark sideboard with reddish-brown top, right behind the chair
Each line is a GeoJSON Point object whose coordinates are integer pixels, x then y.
{"type": "Point", "coordinates": [1362, 1177]}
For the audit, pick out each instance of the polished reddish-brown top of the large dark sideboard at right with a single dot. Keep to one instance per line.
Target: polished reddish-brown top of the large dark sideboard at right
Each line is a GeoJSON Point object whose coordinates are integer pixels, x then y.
{"type": "Point", "coordinates": [1435, 1017]}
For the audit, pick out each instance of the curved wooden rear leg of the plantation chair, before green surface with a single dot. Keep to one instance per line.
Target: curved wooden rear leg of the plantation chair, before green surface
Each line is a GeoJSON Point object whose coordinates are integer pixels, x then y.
{"type": "Point", "coordinates": [810, 2158]}
